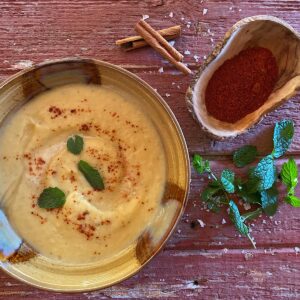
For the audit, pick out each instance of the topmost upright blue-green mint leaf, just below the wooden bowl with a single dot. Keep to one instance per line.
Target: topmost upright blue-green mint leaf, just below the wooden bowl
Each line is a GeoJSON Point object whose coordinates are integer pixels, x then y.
{"type": "Point", "coordinates": [282, 137]}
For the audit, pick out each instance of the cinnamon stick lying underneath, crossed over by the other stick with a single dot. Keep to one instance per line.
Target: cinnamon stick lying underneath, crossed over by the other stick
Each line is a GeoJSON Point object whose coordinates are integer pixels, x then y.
{"type": "Point", "coordinates": [135, 42]}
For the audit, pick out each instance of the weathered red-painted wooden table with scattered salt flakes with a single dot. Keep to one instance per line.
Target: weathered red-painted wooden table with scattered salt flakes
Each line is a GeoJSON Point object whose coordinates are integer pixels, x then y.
{"type": "Point", "coordinates": [210, 262]}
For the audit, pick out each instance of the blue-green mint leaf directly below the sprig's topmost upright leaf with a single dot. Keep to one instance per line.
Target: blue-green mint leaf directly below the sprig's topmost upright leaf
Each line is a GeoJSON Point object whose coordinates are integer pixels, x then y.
{"type": "Point", "coordinates": [264, 173]}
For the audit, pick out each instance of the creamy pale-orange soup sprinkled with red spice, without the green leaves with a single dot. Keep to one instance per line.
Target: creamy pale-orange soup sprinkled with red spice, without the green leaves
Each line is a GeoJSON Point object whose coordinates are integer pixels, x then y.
{"type": "Point", "coordinates": [119, 141]}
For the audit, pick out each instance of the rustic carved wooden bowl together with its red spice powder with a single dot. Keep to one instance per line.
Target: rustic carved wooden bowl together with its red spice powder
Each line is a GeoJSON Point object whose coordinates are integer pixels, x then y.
{"type": "Point", "coordinates": [248, 74]}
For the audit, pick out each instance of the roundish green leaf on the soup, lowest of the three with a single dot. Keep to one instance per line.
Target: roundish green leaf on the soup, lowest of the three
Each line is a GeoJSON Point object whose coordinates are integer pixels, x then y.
{"type": "Point", "coordinates": [51, 198]}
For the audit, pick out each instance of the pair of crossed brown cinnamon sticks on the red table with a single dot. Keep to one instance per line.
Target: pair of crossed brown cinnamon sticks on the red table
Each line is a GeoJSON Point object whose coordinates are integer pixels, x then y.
{"type": "Point", "coordinates": [158, 41]}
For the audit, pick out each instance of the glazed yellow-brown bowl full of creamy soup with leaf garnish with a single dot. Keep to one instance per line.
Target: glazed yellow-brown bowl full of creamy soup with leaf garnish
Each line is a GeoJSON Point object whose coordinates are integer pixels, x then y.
{"type": "Point", "coordinates": [65, 125]}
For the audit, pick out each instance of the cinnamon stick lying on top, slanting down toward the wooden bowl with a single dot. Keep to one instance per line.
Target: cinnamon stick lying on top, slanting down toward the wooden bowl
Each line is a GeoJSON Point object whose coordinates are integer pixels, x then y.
{"type": "Point", "coordinates": [157, 42]}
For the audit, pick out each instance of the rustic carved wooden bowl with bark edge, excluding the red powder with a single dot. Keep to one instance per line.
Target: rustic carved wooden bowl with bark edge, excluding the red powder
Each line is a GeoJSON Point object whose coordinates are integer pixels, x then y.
{"type": "Point", "coordinates": [262, 31]}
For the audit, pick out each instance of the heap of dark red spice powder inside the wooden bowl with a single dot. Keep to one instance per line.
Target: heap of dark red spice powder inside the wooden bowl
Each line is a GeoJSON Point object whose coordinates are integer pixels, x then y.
{"type": "Point", "coordinates": [241, 85]}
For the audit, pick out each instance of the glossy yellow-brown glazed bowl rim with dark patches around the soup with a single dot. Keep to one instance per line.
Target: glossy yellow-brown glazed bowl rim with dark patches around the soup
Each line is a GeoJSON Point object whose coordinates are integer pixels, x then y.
{"type": "Point", "coordinates": [34, 268]}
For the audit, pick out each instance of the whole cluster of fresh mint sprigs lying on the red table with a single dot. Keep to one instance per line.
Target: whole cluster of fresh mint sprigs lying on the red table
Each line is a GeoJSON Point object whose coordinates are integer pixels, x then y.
{"type": "Point", "coordinates": [259, 187]}
